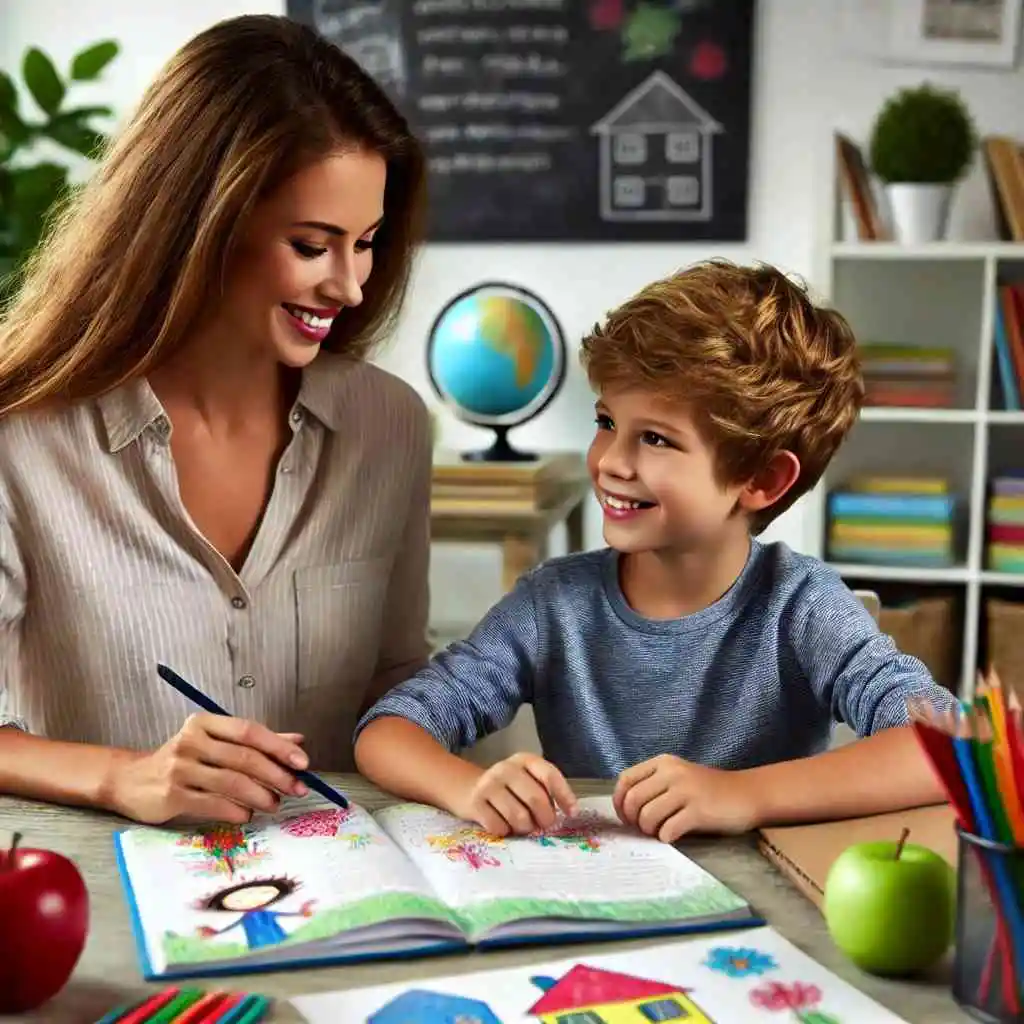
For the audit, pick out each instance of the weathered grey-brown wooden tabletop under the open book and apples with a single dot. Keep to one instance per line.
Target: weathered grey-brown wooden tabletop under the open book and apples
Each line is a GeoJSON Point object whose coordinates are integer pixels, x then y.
{"type": "Point", "coordinates": [109, 974]}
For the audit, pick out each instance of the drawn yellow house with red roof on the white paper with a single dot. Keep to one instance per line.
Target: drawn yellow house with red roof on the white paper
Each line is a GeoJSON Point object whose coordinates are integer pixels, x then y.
{"type": "Point", "coordinates": [590, 996]}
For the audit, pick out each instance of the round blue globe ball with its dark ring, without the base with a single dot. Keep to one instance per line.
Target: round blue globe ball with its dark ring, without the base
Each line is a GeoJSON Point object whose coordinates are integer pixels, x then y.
{"type": "Point", "coordinates": [494, 356]}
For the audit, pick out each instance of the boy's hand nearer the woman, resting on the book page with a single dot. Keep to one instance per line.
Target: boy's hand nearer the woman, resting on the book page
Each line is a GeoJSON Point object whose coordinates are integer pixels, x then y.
{"type": "Point", "coordinates": [520, 795]}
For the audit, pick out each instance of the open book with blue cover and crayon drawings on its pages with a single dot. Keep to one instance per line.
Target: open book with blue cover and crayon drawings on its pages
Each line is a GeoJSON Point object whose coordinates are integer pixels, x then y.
{"type": "Point", "coordinates": [316, 884]}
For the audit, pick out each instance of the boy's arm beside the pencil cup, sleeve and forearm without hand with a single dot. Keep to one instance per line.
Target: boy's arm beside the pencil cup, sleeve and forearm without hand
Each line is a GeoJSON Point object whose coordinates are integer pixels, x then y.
{"type": "Point", "coordinates": [860, 675]}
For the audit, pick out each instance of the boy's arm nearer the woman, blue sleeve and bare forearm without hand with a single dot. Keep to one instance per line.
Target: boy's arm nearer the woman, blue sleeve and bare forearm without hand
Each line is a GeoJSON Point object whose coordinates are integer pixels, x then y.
{"type": "Point", "coordinates": [407, 742]}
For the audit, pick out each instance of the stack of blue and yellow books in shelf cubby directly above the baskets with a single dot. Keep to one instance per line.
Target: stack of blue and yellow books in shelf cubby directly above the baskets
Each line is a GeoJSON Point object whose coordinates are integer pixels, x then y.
{"type": "Point", "coordinates": [893, 521]}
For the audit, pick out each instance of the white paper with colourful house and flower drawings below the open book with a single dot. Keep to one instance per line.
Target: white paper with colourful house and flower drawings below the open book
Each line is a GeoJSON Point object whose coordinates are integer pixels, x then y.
{"type": "Point", "coordinates": [752, 976]}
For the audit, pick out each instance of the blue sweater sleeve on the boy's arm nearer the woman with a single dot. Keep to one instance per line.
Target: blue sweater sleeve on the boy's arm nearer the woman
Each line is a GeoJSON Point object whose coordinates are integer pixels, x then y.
{"type": "Point", "coordinates": [476, 687]}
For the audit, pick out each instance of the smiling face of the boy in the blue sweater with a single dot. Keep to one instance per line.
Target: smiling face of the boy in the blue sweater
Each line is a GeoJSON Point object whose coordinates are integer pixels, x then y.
{"type": "Point", "coordinates": [655, 478]}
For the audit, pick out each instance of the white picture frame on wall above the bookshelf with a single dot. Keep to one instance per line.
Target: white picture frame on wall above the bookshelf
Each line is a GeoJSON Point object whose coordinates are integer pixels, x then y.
{"type": "Point", "coordinates": [956, 32]}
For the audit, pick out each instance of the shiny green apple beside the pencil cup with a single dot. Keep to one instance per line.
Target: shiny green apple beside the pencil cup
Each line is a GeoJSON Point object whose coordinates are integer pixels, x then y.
{"type": "Point", "coordinates": [891, 907]}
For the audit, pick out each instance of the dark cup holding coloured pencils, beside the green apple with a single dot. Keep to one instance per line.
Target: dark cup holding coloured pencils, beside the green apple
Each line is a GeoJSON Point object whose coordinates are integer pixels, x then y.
{"type": "Point", "coordinates": [990, 938]}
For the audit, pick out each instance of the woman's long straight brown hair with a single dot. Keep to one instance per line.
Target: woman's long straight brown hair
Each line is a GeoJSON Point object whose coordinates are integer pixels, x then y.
{"type": "Point", "coordinates": [132, 263]}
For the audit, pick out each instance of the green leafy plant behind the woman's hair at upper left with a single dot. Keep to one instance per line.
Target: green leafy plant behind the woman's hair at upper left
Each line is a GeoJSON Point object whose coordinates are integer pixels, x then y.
{"type": "Point", "coordinates": [31, 187]}
